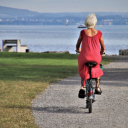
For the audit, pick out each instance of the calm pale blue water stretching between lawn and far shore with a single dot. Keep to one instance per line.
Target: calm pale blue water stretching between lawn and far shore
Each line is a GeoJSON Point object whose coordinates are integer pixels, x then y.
{"type": "Point", "coordinates": [63, 38]}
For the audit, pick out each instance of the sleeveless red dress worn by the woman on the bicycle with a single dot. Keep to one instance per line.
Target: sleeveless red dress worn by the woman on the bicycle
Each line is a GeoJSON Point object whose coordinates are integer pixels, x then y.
{"type": "Point", "coordinates": [90, 51]}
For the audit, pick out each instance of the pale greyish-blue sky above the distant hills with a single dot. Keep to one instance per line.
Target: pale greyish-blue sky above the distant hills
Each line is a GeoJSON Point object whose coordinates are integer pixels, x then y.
{"type": "Point", "coordinates": [54, 6]}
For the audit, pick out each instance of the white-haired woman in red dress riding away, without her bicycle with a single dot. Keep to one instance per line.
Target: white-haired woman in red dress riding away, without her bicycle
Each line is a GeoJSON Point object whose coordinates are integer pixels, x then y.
{"type": "Point", "coordinates": [92, 47]}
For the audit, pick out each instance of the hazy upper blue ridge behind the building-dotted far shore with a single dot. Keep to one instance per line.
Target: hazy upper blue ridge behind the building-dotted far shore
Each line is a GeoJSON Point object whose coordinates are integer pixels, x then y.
{"type": "Point", "coordinates": [7, 12]}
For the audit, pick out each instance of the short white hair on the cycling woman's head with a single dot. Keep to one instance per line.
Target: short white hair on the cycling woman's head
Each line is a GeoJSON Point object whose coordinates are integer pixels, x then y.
{"type": "Point", "coordinates": [91, 20]}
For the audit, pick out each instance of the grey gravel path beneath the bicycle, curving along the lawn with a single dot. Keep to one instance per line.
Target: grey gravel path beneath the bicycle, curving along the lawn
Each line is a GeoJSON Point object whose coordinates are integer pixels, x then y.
{"type": "Point", "coordinates": [60, 107]}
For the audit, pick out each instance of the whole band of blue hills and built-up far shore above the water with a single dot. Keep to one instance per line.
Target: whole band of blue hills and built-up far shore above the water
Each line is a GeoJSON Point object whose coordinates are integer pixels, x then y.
{"type": "Point", "coordinates": [13, 16]}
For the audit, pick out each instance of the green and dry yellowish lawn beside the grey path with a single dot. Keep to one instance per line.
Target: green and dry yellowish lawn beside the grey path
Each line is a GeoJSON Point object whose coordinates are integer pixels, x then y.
{"type": "Point", "coordinates": [23, 76]}
